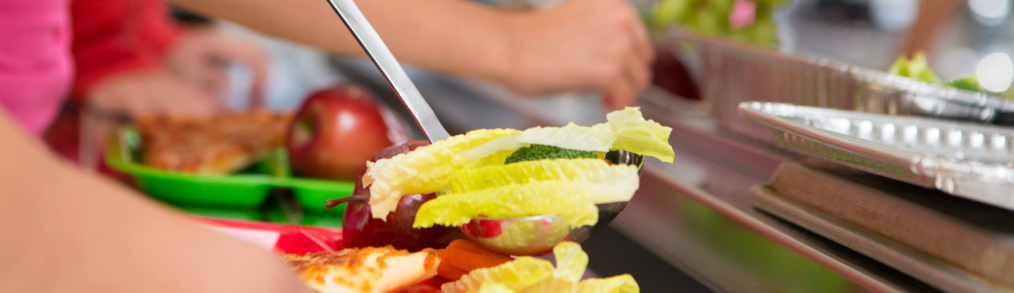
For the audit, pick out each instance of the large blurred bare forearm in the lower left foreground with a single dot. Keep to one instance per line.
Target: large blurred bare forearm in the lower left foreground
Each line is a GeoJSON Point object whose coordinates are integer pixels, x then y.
{"type": "Point", "coordinates": [63, 231]}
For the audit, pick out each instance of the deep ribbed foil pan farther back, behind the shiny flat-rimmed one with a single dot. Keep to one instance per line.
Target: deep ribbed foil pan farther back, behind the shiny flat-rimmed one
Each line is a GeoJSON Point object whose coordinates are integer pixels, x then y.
{"type": "Point", "coordinates": [734, 72]}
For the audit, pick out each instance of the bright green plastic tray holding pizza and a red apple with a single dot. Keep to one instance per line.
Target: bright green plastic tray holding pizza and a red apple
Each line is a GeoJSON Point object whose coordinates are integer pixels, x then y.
{"type": "Point", "coordinates": [238, 191]}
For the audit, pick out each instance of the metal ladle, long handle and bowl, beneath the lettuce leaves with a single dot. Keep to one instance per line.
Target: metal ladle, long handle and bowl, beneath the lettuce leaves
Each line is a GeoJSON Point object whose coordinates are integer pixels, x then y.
{"type": "Point", "coordinates": [527, 236]}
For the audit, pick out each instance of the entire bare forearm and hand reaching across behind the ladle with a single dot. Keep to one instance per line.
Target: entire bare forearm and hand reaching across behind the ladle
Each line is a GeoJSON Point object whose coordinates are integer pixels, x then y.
{"type": "Point", "coordinates": [580, 45]}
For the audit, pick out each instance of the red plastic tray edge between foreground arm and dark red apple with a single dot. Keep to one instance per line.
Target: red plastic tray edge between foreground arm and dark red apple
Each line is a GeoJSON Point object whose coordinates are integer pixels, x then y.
{"type": "Point", "coordinates": [280, 239]}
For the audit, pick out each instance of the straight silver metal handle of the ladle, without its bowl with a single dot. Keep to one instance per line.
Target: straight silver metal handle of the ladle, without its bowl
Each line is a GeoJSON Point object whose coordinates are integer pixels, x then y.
{"type": "Point", "coordinates": [390, 68]}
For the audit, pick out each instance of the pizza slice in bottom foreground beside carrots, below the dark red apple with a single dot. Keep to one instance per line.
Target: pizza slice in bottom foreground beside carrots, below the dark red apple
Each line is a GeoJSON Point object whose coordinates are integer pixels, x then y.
{"type": "Point", "coordinates": [365, 270]}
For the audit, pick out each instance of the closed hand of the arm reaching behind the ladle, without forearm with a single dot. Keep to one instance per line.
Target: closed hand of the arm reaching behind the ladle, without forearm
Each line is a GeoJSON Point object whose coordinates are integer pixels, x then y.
{"type": "Point", "coordinates": [583, 45]}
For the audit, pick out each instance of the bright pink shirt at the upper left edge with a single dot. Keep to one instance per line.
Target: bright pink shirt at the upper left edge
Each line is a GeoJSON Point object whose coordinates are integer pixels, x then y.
{"type": "Point", "coordinates": [36, 65]}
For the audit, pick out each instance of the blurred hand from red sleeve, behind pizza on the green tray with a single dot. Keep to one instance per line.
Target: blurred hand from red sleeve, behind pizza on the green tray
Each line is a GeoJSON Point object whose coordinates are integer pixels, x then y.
{"type": "Point", "coordinates": [191, 83]}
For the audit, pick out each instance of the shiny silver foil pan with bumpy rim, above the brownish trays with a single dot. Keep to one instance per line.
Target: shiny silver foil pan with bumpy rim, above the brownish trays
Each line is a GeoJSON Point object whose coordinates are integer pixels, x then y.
{"type": "Point", "coordinates": [970, 161]}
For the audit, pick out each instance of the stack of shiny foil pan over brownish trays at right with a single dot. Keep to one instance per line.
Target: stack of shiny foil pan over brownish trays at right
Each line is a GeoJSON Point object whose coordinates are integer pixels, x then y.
{"type": "Point", "coordinates": [956, 246]}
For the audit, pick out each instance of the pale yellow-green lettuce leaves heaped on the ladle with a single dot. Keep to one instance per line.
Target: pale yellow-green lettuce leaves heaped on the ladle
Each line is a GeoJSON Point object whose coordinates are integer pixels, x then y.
{"type": "Point", "coordinates": [567, 187]}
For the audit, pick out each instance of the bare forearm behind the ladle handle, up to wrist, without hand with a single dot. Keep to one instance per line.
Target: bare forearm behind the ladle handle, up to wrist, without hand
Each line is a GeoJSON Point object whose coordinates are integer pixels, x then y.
{"type": "Point", "coordinates": [418, 33]}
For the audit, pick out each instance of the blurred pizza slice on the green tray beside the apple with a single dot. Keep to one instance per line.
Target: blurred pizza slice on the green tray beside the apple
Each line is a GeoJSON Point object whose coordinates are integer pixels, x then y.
{"type": "Point", "coordinates": [221, 144]}
